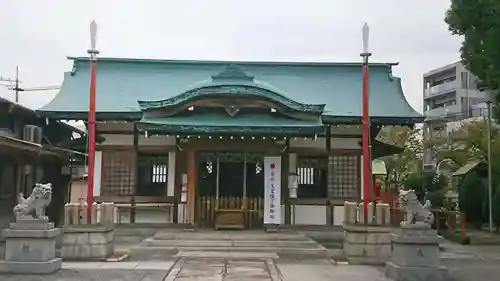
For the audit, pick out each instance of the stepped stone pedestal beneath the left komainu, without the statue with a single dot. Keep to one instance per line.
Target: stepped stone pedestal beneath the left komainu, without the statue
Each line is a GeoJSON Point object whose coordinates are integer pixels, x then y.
{"type": "Point", "coordinates": [31, 247]}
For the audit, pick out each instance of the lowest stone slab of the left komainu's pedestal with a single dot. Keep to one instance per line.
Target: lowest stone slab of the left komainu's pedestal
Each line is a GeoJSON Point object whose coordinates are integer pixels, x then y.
{"type": "Point", "coordinates": [45, 267]}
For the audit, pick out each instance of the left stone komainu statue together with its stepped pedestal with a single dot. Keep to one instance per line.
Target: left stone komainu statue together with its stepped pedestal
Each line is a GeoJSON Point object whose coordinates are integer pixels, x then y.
{"type": "Point", "coordinates": [30, 241]}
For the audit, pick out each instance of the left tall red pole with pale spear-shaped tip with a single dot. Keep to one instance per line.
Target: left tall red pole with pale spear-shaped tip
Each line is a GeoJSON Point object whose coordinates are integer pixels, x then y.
{"type": "Point", "coordinates": [91, 119]}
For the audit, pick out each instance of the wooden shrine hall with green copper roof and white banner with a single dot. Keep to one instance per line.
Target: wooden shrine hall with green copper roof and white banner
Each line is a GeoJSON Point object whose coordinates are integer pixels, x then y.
{"type": "Point", "coordinates": [215, 143]}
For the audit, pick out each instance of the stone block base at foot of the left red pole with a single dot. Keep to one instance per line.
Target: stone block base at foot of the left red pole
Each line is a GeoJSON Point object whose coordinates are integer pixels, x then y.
{"type": "Point", "coordinates": [88, 242]}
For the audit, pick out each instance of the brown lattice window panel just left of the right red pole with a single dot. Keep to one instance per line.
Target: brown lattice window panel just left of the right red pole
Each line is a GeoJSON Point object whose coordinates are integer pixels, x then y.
{"type": "Point", "coordinates": [345, 177]}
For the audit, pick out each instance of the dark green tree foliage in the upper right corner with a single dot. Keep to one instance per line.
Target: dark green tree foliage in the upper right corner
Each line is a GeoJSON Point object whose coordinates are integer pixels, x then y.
{"type": "Point", "coordinates": [478, 21]}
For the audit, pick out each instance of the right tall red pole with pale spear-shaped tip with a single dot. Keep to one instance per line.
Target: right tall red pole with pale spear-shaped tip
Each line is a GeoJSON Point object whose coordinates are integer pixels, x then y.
{"type": "Point", "coordinates": [367, 163]}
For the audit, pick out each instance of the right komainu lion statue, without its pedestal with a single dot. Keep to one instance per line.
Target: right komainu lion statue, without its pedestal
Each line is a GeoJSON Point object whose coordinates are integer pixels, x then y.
{"type": "Point", "coordinates": [415, 212]}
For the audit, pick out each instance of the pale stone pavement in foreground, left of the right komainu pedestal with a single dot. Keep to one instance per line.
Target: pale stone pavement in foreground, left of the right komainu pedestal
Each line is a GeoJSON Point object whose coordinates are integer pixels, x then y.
{"type": "Point", "coordinates": [207, 270]}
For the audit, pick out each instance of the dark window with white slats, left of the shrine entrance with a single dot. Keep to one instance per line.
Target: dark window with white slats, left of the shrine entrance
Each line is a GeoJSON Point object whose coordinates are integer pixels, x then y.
{"type": "Point", "coordinates": [153, 175]}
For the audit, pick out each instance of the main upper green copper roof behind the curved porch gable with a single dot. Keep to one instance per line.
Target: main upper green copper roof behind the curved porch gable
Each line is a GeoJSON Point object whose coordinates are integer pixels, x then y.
{"type": "Point", "coordinates": [121, 83]}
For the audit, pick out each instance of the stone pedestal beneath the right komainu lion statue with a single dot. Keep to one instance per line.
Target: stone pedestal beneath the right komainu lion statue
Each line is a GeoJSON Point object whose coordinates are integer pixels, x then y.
{"type": "Point", "coordinates": [415, 255]}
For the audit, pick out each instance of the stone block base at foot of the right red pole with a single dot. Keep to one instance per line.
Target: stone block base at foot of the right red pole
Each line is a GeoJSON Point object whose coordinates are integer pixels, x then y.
{"type": "Point", "coordinates": [367, 244]}
